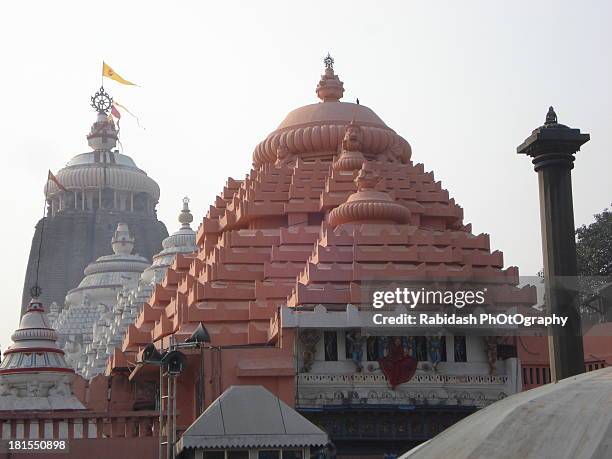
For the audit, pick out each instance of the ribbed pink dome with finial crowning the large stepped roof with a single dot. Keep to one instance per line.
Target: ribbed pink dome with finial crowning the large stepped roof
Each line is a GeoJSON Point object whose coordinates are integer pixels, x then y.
{"type": "Point", "coordinates": [317, 130]}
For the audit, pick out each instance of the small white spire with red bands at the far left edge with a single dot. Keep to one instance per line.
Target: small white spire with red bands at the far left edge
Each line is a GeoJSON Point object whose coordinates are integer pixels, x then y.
{"type": "Point", "coordinates": [34, 374]}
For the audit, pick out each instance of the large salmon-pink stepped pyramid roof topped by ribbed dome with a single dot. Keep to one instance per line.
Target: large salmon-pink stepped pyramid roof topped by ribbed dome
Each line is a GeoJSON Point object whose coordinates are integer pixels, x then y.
{"type": "Point", "coordinates": [332, 204]}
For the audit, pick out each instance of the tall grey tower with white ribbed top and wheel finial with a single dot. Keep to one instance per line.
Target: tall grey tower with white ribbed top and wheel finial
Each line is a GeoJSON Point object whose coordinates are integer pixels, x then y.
{"type": "Point", "coordinates": [86, 201]}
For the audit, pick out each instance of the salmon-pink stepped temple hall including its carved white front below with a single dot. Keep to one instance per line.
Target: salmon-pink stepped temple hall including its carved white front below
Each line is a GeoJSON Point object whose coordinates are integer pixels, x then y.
{"type": "Point", "coordinates": [333, 204]}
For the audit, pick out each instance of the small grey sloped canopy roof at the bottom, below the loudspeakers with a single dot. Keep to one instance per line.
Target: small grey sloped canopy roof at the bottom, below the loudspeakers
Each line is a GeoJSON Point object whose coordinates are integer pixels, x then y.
{"type": "Point", "coordinates": [251, 417]}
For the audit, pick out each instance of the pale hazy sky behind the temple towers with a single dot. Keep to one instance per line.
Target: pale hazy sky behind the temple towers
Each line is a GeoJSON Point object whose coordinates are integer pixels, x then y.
{"type": "Point", "coordinates": [464, 82]}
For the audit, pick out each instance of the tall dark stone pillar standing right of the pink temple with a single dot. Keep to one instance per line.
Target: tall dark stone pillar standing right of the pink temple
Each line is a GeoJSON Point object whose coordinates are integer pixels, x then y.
{"type": "Point", "coordinates": [552, 147]}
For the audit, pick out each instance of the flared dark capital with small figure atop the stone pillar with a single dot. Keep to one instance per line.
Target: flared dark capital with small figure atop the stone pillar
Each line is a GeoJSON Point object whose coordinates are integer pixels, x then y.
{"type": "Point", "coordinates": [553, 144]}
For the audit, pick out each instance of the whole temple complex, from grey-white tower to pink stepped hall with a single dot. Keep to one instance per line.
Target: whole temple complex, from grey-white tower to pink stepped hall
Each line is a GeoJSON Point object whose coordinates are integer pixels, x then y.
{"type": "Point", "coordinates": [272, 294]}
